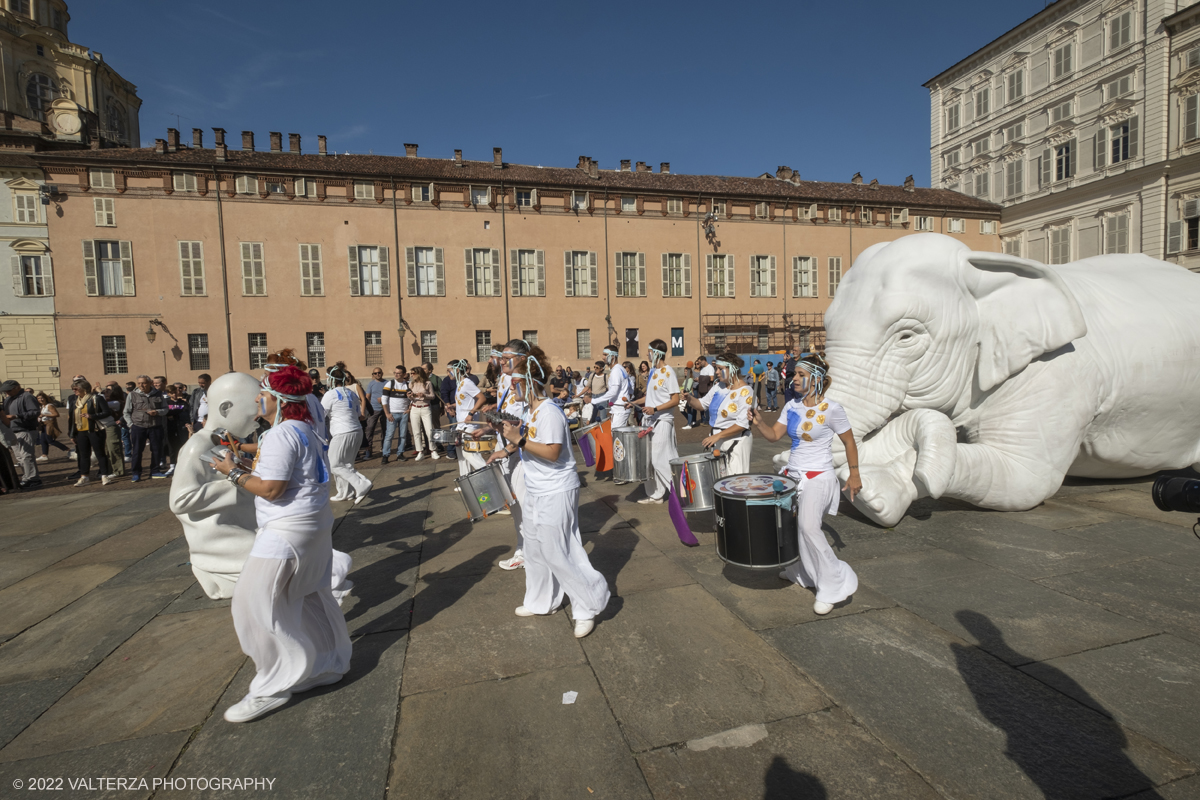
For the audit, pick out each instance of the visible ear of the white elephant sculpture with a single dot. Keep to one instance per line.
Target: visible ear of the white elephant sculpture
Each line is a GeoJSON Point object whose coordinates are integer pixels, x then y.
{"type": "Point", "coordinates": [1025, 311]}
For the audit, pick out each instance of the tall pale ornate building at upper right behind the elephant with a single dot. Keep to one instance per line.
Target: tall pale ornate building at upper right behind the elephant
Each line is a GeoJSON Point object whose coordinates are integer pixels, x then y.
{"type": "Point", "coordinates": [1084, 124]}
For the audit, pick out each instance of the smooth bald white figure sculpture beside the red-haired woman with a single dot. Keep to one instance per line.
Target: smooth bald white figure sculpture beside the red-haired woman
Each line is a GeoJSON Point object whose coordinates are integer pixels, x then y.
{"type": "Point", "coordinates": [218, 519]}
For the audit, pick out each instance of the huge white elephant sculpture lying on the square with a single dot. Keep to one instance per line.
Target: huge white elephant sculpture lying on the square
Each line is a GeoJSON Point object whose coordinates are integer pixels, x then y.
{"type": "Point", "coordinates": [989, 378]}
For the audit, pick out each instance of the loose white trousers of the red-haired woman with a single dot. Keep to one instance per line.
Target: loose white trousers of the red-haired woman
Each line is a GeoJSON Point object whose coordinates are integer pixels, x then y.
{"type": "Point", "coordinates": [284, 609]}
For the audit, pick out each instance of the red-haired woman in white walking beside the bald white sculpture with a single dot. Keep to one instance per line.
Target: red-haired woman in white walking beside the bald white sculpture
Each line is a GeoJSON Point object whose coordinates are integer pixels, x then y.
{"type": "Point", "coordinates": [284, 609]}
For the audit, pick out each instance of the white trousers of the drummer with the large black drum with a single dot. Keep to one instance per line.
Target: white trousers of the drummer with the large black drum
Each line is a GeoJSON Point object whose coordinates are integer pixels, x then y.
{"type": "Point", "coordinates": [819, 568]}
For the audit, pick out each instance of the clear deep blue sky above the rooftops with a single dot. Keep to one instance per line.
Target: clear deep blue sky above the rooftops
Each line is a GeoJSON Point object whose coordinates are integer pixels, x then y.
{"type": "Point", "coordinates": [737, 89]}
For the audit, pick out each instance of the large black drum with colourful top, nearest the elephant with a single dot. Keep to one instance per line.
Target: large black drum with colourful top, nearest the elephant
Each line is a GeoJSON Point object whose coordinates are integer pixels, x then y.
{"type": "Point", "coordinates": [757, 521]}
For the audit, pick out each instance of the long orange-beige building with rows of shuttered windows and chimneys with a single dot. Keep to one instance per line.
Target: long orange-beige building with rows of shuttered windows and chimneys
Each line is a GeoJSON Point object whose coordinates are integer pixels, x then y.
{"type": "Point", "coordinates": [377, 261]}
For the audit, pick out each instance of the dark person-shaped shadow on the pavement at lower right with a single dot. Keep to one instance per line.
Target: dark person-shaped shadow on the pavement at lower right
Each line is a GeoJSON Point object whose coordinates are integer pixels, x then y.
{"type": "Point", "coordinates": [1064, 759]}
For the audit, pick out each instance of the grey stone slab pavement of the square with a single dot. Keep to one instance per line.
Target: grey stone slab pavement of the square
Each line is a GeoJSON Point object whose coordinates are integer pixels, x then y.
{"type": "Point", "coordinates": [1054, 653]}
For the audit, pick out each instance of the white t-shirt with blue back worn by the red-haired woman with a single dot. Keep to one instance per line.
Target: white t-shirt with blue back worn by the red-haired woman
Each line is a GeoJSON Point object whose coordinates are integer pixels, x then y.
{"type": "Point", "coordinates": [291, 452]}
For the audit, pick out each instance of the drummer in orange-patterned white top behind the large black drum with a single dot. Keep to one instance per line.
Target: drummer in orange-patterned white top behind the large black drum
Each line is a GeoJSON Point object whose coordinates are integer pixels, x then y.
{"type": "Point", "coordinates": [813, 422]}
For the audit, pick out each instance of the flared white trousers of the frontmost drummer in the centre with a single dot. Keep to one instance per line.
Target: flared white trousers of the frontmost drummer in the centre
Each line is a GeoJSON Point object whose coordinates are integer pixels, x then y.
{"type": "Point", "coordinates": [556, 562]}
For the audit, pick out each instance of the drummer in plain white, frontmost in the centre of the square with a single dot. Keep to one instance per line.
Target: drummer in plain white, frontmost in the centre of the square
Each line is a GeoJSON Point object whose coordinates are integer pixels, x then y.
{"type": "Point", "coordinates": [556, 563]}
